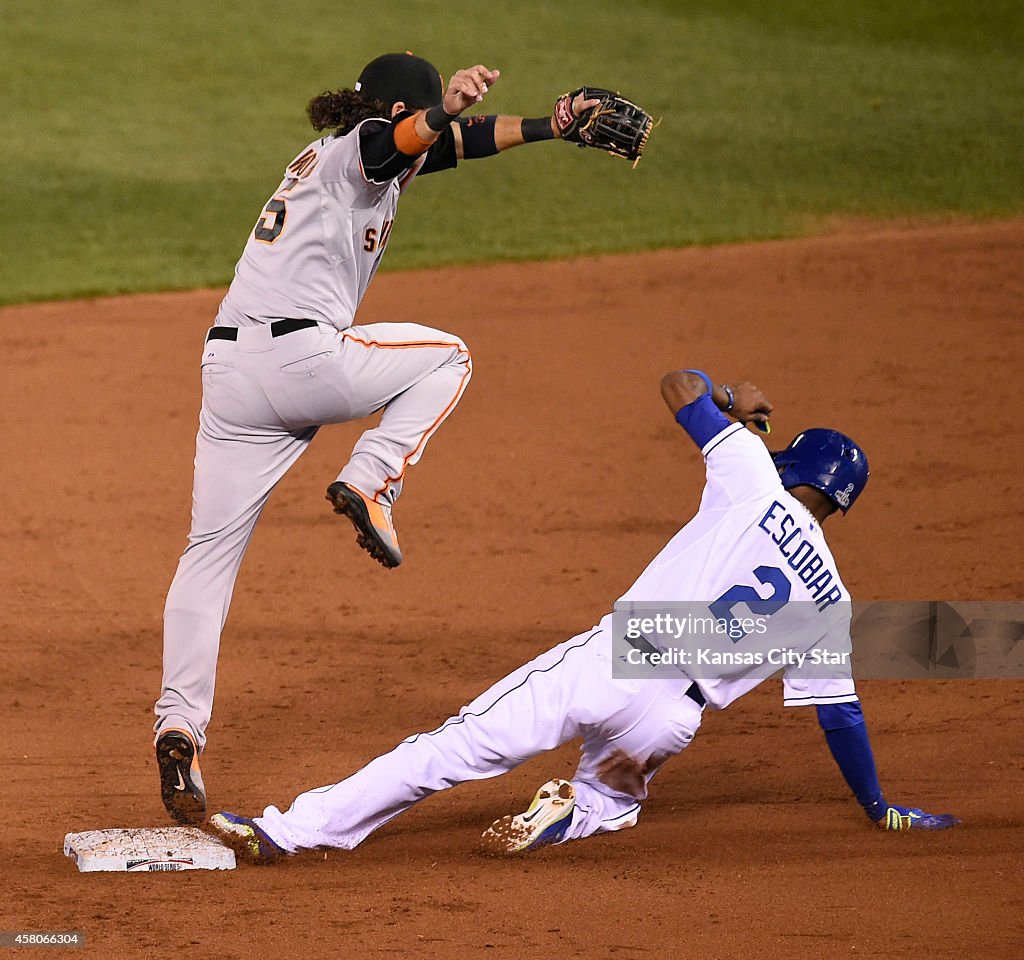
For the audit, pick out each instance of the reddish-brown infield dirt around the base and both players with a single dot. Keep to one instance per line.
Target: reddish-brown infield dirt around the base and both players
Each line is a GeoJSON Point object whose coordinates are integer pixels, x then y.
{"type": "Point", "coordinates": [552, 486]}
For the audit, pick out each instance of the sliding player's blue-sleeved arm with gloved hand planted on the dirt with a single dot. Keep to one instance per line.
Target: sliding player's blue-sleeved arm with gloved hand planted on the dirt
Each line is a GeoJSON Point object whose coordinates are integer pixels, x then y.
{"type": "Point", "coordinates": [846, 734]}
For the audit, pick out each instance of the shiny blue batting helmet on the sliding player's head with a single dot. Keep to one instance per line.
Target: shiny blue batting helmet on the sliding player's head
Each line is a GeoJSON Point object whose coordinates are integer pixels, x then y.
{"type": "Point", "coordinates": [827, 460]}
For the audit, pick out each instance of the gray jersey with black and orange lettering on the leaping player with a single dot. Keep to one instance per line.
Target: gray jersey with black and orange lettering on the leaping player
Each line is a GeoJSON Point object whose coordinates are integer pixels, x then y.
{"type": "Point", "coordinates": [319, 240]}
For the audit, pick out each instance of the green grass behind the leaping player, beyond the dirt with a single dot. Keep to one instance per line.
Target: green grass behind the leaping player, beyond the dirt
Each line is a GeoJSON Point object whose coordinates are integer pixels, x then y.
{"type": "Point", "coordinates": [140, 141]}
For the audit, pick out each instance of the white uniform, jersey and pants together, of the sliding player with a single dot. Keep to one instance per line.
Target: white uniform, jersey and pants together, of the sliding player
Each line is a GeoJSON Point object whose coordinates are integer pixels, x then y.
{"type": "Point", "coordinates": [751, 540]}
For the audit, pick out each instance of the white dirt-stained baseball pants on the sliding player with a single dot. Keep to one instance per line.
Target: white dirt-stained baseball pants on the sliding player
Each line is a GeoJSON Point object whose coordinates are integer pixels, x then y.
{"type": "Point", "coordinates": [565, 693]}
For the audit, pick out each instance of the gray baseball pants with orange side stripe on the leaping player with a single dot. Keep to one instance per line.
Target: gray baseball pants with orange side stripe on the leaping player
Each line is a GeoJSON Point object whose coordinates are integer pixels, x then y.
{"type": "Point", "coordinates": [264, 400]}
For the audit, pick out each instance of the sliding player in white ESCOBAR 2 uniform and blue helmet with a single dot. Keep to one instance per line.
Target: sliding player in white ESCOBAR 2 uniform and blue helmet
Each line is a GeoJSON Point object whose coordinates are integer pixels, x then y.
{"type": "Point", "coordinates": [756, 540]}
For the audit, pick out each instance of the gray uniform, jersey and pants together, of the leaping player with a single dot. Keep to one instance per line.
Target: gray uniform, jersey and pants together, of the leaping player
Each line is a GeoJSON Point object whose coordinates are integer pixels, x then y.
{"type": "Point", "coordinates": [312, 255]}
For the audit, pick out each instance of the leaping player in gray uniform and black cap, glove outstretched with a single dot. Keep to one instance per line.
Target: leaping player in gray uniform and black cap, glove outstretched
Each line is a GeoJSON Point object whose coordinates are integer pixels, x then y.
{"type": "Point", "coordinates": [286, 358]}
